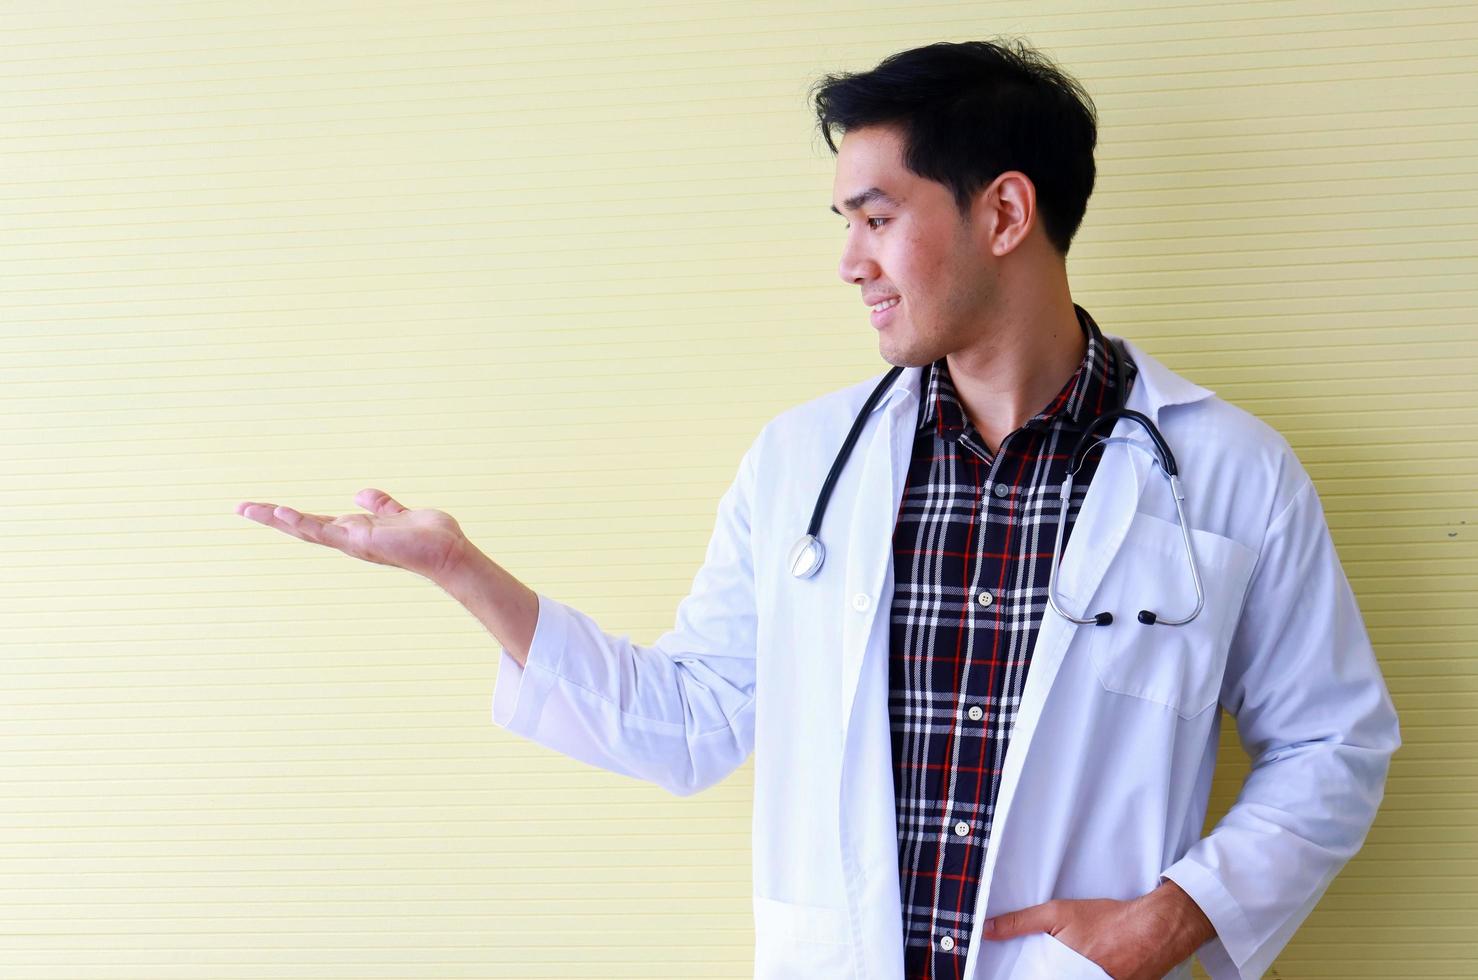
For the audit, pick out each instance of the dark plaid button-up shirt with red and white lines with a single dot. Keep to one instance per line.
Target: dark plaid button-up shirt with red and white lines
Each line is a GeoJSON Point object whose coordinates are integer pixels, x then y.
{"type": "Point", "coordinates": [972, 552]}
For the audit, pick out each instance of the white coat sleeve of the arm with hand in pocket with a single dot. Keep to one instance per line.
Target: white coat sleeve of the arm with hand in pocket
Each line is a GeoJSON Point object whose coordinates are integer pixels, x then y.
{"type": "Point", "coordinates": [1315, 716]}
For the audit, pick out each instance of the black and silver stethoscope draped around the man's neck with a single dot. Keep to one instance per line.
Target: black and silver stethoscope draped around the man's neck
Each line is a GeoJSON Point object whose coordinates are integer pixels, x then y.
{"type": "Point", "coordinates": [808, 557]}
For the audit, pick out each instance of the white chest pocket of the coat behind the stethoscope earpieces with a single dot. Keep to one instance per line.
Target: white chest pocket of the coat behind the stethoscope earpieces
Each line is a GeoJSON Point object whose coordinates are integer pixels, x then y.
{"type": "Point", "coordinates": [1179, 667]}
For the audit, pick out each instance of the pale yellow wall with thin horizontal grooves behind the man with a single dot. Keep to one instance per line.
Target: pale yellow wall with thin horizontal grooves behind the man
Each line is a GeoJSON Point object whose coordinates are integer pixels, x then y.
{"type": "Point", "coordinates": [549, 267]}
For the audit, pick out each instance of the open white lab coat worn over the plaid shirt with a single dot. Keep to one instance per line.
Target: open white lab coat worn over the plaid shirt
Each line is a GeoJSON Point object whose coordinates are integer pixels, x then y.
{"type": "Point", "coordinates": [1109, 768]}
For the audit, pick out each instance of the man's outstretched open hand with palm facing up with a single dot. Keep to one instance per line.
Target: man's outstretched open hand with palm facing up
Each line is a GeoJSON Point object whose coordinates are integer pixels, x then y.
{"type": "Point", "coordinates": [429, 543]}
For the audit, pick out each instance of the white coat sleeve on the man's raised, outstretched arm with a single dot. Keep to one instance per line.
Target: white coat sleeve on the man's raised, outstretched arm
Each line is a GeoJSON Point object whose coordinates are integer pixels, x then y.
{"type": "Point", "coordinates": [679, 713]}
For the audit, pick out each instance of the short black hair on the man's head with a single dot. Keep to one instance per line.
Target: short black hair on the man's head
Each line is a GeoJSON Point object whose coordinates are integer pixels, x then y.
{"type": "Point", "coordinates": [970, 112]}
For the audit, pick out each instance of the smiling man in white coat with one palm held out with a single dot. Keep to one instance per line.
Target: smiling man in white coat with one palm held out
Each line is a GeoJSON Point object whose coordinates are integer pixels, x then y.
{"type": "Point", "coordinates": [1007, 774]}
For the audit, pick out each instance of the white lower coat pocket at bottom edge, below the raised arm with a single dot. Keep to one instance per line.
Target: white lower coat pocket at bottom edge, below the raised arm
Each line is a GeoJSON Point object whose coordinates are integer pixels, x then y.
{"type": "Point", "coordinates": [800, 942]}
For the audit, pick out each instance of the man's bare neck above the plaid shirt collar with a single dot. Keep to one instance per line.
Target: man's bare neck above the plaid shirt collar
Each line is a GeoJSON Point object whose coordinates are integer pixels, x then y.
{"type": "Point", "coordinates": [1024, 358]}
